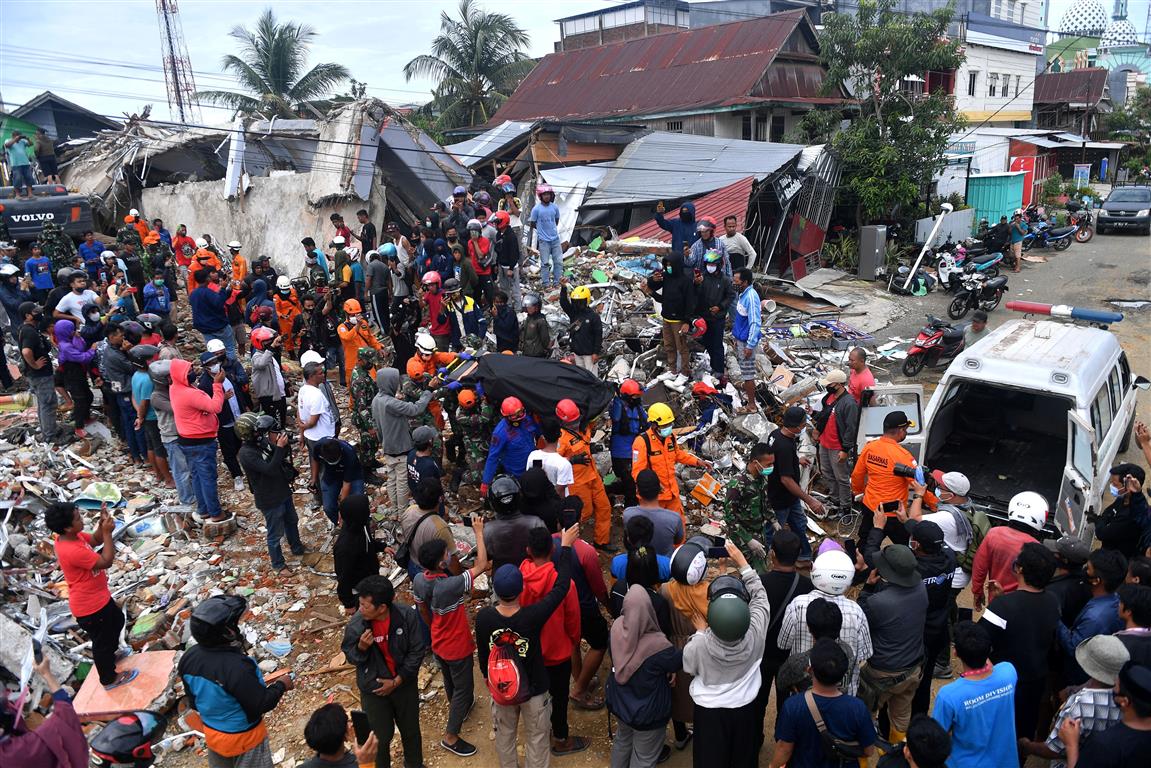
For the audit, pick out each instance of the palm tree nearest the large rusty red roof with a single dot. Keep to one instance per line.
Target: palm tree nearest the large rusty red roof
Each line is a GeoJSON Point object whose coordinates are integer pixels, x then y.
{"type": "Point", "coordinates": [477, 63]}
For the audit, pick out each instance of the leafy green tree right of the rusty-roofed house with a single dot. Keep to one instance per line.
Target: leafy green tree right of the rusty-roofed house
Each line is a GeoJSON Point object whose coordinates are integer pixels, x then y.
{"type": "Point", "coordinates": [896, 143]}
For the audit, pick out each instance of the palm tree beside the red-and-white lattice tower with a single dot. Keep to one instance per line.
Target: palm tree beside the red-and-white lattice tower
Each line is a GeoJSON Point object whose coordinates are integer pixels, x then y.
{"type": "Point", "coordinates": [271, 70]}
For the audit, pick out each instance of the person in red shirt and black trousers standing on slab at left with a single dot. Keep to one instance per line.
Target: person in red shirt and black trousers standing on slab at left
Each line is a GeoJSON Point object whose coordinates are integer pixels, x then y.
{"type": "Point", "coordinates": [88, 585]}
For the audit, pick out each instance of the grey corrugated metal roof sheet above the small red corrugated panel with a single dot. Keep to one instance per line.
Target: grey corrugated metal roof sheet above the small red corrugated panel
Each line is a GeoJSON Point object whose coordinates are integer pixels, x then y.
{"type": "Point", "coordinates": [675, 166]}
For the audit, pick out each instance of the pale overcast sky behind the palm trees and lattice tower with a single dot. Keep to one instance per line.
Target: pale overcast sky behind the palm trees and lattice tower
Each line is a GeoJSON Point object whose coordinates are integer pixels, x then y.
{"type": "Point", "coordinates": [105, 55]}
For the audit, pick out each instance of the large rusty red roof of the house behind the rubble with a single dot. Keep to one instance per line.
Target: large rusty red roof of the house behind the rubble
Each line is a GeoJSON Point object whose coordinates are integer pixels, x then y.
{"type": "Point", "coordinates": [722, 65]}
